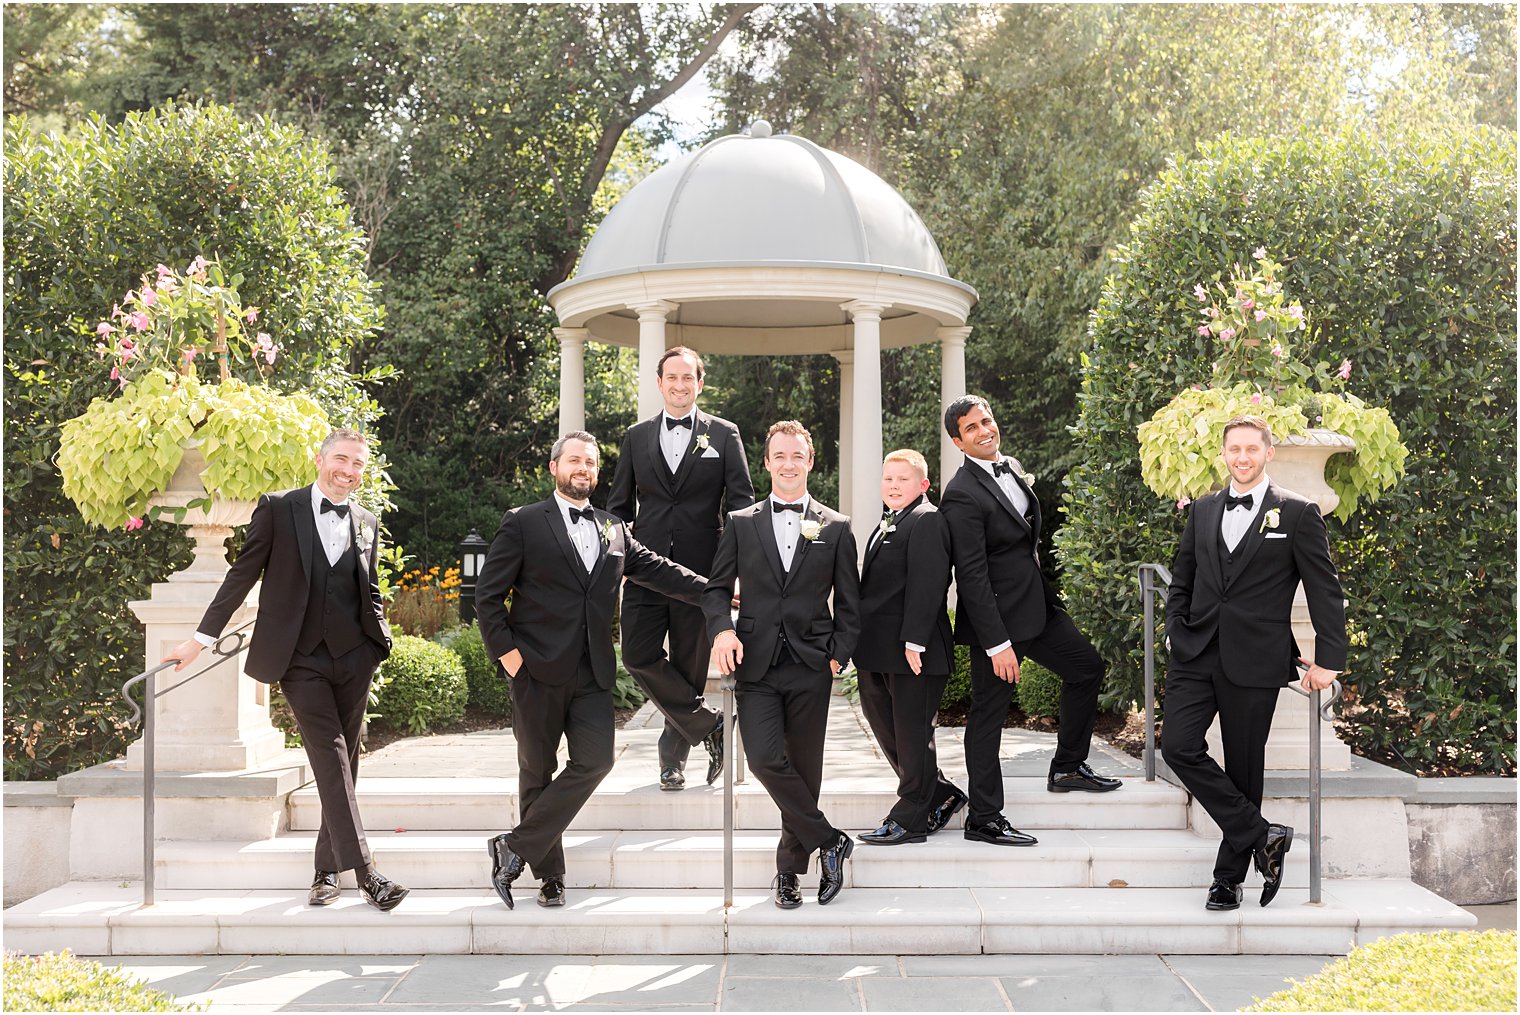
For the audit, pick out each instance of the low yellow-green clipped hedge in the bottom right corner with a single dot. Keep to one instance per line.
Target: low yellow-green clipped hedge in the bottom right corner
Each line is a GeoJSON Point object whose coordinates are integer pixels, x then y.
{"type": "Point", "coordinates": [1448, 972]}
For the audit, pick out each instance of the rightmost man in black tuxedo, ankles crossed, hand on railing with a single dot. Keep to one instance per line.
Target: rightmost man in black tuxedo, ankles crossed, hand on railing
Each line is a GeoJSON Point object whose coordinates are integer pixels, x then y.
{"type": "Point", "coordinates": [1229, 610]}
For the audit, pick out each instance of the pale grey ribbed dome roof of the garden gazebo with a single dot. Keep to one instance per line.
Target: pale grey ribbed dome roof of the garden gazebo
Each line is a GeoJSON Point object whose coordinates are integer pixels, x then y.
{"type": "Point", "coordinates": [755, 200]}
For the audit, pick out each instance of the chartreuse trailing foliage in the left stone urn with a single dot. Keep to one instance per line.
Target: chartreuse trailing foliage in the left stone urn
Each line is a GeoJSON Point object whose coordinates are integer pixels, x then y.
{"type": "Point", "coordinates": [124, 451]}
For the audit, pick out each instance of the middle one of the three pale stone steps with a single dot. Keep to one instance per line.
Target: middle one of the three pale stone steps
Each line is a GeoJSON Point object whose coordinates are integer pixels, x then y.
{"type": "Point", "coordinates": [694, 861]}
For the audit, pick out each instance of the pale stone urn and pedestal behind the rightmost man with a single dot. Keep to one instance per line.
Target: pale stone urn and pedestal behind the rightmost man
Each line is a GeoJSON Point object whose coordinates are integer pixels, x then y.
{"type": "Point", "coordinates": [1299, 464]}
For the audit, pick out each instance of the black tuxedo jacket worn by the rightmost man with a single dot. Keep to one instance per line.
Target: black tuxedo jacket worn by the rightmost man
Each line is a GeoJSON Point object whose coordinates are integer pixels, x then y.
{"type": "Point", "coordinates": [1252, 613]}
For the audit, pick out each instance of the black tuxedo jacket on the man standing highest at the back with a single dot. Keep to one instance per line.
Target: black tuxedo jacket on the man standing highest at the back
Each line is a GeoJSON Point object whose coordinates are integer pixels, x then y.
{"type": "Point", "coordinates": [682, 516]}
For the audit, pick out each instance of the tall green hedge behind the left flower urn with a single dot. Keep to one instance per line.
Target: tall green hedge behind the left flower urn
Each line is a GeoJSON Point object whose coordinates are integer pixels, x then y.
{"type": "Point", "coordinates": [86, 215]}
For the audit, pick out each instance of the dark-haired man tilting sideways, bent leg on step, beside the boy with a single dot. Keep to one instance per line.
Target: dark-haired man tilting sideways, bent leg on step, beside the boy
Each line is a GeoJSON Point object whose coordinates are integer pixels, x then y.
{"type": "Point", "coordinates": [1009, 612]}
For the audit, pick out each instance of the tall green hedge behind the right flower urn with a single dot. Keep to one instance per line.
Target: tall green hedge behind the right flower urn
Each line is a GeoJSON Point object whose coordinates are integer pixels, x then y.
{"type": "Point", "coordinates": [1405, 259]}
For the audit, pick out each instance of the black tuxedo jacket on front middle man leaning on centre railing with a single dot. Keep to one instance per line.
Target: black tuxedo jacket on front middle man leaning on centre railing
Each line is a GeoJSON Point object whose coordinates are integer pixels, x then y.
{"type": "Point", "coordinates": [774, 601]}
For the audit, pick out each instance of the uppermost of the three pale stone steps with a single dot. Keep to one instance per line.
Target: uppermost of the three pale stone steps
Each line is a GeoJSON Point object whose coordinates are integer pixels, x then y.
{"type": "Point", "coordinates": [636, 803]}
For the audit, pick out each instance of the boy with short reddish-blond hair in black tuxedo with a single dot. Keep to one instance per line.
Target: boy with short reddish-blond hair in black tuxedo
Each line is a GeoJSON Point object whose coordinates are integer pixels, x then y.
{"type": "Point", "coordinates": [907, 653]}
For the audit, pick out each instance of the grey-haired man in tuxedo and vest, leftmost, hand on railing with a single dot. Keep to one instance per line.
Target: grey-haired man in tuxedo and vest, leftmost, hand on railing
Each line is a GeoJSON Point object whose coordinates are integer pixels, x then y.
{"type": "Point", "coordinates": [321, 633]}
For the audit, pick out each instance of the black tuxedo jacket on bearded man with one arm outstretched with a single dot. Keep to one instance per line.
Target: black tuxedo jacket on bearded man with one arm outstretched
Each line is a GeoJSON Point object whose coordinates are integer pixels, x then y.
{"type": "Point", "coordinates": [559, 613]}
